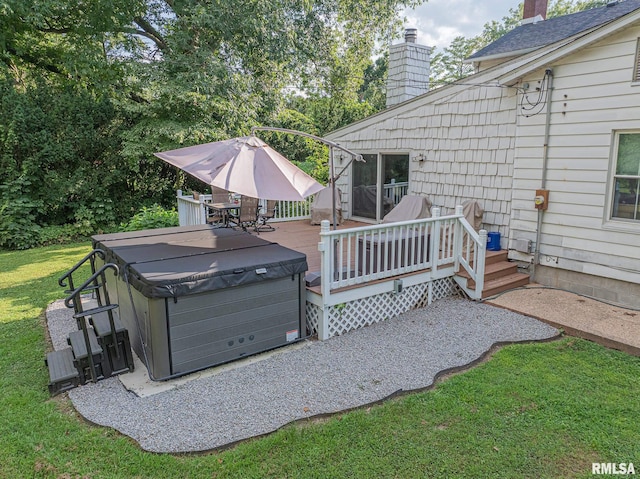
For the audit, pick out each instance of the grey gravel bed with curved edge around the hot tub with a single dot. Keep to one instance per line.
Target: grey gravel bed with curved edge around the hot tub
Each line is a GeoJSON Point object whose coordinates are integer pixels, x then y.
{"type": "Point", "coordinates": [361, 367]}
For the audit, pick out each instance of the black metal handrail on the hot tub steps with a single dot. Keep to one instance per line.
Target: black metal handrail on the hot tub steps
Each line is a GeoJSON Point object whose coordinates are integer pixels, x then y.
{"type": "Point", "coordinates": [74, 300]}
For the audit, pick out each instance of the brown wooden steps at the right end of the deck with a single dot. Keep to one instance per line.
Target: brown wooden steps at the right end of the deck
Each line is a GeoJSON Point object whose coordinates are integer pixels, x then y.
{"type": "Point", "coordinates": [500, 274]}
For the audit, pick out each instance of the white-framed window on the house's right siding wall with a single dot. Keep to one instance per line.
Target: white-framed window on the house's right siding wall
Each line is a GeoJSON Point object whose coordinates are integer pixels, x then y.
{"type": "Point", "coordinates": [626, 197]}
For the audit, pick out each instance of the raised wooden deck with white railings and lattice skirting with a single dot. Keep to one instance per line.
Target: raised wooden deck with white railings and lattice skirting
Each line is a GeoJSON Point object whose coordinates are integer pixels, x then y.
{"type": "Point", "coordinates": [372, 272]}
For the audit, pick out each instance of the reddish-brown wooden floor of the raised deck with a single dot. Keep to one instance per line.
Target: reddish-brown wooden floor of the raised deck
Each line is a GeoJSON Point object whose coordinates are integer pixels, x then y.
{"type": "Point", "coordinates": [302, 236]}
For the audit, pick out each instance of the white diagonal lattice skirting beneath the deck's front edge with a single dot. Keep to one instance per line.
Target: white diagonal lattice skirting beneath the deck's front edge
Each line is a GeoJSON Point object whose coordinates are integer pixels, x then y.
{"type": "Point", "coordinates": [346, 317]}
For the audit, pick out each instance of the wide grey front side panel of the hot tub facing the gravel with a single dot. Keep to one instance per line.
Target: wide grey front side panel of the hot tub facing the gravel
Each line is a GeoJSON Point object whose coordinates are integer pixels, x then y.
{"type": "Point", "coordinates": [223, 325]}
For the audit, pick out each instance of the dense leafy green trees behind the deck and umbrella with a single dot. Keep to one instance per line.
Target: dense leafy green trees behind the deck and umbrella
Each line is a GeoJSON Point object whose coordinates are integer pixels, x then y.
{"type": "Point", "coordinates": [131, 77]}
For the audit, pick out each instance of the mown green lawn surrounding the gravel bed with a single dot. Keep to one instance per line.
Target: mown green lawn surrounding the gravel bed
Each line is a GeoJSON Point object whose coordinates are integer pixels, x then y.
{"type": "Point", "coordinates": [544, 410]}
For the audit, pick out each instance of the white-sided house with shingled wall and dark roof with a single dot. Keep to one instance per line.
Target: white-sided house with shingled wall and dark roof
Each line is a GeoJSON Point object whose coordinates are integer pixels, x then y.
{"type": "Point", "coordinates": [545, 135]}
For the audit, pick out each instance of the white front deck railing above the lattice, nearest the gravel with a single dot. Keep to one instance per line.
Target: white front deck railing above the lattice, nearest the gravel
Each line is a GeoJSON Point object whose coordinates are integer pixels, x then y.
{"type": "Point", "coordinates": [439, 245]}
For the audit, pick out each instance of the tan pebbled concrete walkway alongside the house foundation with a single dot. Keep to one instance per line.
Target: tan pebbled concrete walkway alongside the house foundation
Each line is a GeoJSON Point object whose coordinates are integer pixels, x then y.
{"type": "Point", "coordinates": [612, 326]}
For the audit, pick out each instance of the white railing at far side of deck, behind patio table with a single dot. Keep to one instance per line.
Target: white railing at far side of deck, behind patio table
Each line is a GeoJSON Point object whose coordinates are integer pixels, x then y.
{"type": "Point", "coordinates": [194, 212]}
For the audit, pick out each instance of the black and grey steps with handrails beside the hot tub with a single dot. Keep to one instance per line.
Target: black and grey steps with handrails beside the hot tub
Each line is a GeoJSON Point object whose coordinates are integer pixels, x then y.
{"type": "Point", "coordinates": [100, 347]}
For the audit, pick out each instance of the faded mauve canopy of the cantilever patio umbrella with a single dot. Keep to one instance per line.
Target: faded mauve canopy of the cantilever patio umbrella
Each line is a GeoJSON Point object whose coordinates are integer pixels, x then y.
{"type": "Point", "coordinates": [245, 165]}
